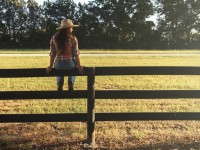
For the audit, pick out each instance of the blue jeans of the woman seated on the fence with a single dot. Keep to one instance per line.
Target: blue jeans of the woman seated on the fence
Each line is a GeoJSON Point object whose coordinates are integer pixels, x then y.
{"type": "Point", "coordinates": [65, 65]}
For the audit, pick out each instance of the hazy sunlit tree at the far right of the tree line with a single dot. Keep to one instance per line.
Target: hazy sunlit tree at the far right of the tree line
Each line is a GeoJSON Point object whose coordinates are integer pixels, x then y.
{"type": "Point", "coordinates": [178, 20]}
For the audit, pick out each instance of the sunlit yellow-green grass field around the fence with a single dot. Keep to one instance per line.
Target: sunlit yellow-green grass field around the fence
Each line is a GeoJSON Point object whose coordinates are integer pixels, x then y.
{"type": "Point", "coordinates": [112, 135]}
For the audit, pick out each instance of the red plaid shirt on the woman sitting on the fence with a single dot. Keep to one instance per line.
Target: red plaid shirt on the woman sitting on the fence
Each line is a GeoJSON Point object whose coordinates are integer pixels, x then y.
{"type": "Point", "coordinates": [70, 51]}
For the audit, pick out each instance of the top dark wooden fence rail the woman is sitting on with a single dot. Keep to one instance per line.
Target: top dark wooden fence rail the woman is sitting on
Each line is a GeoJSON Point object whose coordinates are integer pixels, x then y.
{"type": "Point", "coordinates": [100, 71]}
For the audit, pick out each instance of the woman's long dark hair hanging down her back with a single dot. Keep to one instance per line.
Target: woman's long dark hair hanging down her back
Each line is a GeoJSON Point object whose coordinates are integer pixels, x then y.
{"type": "Point", "coordinates": [61, 38]}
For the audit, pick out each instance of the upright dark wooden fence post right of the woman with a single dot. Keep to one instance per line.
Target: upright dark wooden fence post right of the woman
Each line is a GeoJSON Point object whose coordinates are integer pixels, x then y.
{"type": "Point", "coordinates": [91, 107]}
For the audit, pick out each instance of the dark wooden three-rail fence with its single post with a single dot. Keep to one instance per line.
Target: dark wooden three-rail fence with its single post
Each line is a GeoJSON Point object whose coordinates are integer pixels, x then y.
{"type": "Point", "coordinates": [91, 94]}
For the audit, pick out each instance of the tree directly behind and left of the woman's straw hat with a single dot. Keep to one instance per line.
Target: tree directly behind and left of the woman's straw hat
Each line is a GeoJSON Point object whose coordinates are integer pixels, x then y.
{"type": "Point", "coordinates": [52, 14]}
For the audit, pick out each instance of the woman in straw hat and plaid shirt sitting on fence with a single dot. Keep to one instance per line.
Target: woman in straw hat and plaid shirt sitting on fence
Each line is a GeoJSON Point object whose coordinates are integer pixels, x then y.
{"type": "Point", "coordinates": [64, 53]}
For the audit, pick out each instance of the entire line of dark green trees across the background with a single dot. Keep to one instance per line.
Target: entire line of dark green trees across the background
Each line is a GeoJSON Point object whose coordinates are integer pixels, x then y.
{"type": "Point", "coordinates": [103, 23]}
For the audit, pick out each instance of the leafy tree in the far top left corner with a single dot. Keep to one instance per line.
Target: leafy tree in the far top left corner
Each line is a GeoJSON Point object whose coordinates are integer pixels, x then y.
{"type": "Point", "coordinates": [13, 19]}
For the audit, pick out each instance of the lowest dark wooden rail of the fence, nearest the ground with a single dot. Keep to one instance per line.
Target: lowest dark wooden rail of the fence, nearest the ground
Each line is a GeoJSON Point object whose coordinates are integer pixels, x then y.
{"type": "Point", "coordinates": [82, 117]}
